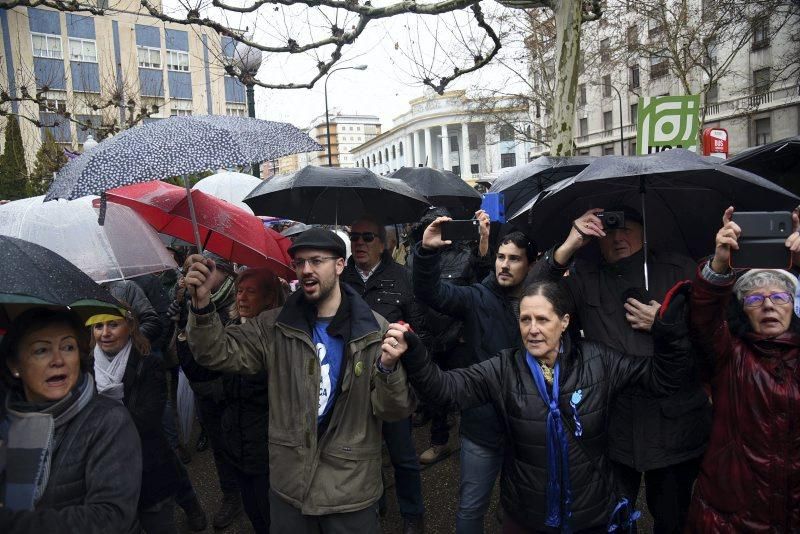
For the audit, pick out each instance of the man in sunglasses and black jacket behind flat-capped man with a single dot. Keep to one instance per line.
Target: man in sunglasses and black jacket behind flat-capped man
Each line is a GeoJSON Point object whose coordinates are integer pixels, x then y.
{"type": "Point", "coordinates": [386, 286]}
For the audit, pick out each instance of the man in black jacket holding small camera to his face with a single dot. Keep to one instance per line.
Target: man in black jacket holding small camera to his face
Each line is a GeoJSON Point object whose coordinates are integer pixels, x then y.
{"type": "Point", "coordinates": [662, 438]}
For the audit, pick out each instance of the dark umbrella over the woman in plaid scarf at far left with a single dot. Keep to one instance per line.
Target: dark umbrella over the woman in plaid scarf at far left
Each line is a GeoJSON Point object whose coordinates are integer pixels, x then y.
{"type": "Point", "coordinates": [38, 277]}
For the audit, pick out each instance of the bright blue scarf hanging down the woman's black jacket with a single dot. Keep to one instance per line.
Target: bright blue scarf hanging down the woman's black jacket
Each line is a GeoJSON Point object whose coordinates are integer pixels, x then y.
{"type": "Point", "coordinates": [559, 493]}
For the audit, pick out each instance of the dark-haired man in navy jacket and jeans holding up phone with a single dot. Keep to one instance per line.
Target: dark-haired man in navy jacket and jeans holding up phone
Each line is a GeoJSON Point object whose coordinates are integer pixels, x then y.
{"type": "Point", "coordinates": [490, 311]}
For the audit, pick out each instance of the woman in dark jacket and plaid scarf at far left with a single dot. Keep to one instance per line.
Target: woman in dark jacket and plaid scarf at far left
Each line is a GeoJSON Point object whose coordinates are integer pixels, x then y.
{"type": "Point", "coordinates": [70, 459]}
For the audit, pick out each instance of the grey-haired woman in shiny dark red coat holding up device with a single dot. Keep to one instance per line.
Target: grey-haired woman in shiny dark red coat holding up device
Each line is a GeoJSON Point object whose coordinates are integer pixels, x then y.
{"type": "Point", "coordinates": [750, 476]}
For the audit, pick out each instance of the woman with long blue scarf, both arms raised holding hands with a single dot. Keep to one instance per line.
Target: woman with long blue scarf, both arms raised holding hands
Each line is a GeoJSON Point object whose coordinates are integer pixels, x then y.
{"type": "Point", "coordinates": [553, 397]}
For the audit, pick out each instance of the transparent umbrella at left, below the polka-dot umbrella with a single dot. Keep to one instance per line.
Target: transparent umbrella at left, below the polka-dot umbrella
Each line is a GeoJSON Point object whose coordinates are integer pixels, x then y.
{"type": "Point", "coordinates": [125, 246]}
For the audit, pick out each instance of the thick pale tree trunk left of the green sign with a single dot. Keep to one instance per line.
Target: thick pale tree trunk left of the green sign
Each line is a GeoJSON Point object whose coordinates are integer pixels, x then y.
{"type": "Point", "coordinates": [567, 15]}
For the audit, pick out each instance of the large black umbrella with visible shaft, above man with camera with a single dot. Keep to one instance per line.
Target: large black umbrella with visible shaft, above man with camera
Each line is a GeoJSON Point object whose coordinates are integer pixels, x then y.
{"type": "Point", "coordinates": [680, 195]}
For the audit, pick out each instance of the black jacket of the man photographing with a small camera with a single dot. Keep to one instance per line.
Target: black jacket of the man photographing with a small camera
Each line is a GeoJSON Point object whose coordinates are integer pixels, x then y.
{"type": "Point", "coordinates": [645, 432]}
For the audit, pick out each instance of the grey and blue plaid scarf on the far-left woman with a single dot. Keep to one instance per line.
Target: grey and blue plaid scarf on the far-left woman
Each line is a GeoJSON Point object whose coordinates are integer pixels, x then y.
{"type": "Point", "coordinates": [31, 428]}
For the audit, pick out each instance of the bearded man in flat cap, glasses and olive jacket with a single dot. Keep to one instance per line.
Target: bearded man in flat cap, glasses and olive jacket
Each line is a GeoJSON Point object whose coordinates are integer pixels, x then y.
{"type": "Point", "coordinates": [328, 390]}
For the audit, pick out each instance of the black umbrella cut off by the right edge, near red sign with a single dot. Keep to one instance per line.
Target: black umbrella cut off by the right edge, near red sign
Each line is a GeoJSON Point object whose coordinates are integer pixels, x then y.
{"type": "Point", "coordinates": [778, 162]}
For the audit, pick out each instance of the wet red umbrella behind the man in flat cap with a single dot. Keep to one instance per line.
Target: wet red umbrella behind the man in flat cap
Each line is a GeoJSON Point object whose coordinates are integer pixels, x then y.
{"type": "Point", "coordinates": [224, 229]}
